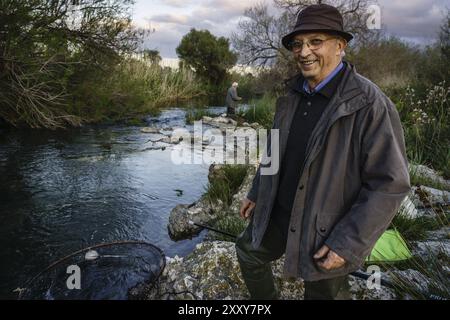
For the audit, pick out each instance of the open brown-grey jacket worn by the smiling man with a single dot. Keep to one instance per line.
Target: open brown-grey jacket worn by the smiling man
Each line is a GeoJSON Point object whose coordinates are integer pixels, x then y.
{"type": "Point", "coordinates": [354, 178]}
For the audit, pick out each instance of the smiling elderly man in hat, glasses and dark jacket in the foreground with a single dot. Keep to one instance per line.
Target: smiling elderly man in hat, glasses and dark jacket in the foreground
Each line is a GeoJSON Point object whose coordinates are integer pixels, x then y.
{"type": "Point", "coordinates": [343, 171]}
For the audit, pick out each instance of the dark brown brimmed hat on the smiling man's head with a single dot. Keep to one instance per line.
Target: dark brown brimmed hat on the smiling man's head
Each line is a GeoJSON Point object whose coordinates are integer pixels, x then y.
{"type": "Point", "coordinates": [318, 18]}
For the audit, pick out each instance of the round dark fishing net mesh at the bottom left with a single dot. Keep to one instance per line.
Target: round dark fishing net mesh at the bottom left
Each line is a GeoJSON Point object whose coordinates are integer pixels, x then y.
{"type": "Point", "coordinates": [112, 270]}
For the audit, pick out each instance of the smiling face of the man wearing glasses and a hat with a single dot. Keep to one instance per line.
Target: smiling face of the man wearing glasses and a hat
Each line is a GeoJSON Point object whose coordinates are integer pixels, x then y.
{"type": "Point", "coordinates": [318, 60]}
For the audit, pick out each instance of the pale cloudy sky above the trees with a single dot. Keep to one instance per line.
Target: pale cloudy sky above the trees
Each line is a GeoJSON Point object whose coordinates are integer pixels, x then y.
{"type": "Point", "coordinates": [417, 21]}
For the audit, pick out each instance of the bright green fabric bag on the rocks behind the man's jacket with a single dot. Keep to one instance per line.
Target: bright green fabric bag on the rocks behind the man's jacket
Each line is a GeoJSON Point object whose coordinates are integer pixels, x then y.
{"type": "Point", "coordinates": [390, 247]}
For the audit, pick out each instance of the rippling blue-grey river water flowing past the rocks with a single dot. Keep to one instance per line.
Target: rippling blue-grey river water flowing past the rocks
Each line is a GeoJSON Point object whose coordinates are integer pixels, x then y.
{"type": "Point", "coordinates": [61, 191]}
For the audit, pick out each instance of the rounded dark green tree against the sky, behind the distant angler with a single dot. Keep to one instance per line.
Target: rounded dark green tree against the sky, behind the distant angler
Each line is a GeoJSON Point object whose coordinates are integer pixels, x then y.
{"type": "Point", "coordinates": [209, 56]}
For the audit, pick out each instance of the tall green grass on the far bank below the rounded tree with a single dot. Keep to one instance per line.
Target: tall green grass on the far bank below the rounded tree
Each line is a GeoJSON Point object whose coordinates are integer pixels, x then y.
{"type": "Point", "coordinates": [134, 88]}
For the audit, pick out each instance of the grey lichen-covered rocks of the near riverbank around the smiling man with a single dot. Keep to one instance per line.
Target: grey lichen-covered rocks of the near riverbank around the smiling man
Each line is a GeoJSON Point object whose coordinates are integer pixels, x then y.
{"type": "Point", "coordinates": [211, 271]}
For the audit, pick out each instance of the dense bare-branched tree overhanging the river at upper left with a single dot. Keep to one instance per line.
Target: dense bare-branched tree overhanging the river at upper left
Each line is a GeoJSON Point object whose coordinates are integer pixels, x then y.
{"type": "Point", "coordinates": [49, 47]}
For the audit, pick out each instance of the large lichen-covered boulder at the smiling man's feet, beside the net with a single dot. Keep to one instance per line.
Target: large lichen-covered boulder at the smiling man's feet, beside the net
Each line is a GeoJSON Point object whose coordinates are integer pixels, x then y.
{"type": "Point", "coordinates": [211, 272]}
